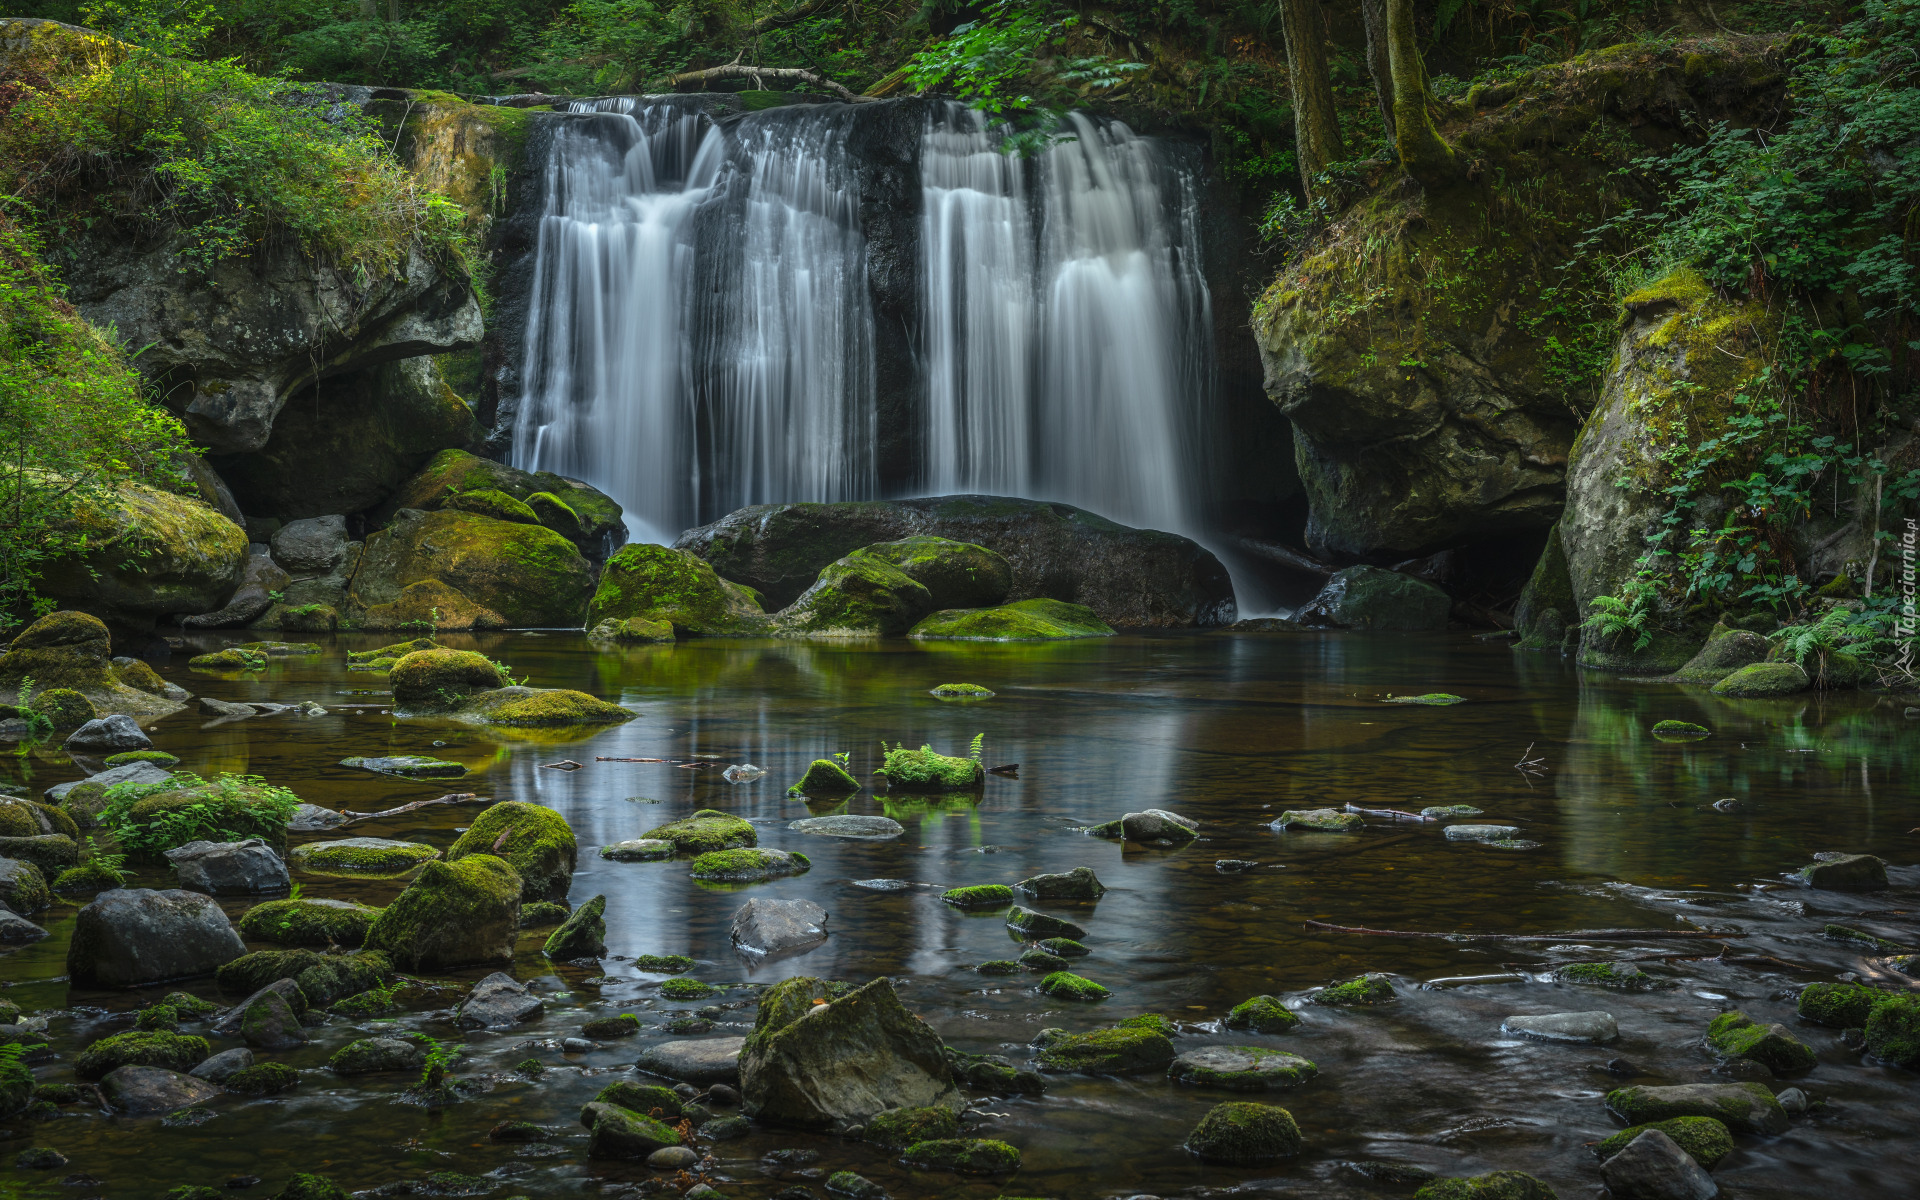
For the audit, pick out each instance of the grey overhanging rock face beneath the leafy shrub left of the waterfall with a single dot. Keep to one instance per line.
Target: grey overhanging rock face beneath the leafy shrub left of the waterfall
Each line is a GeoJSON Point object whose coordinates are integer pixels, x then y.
{"type": "Point", "coordinates": [239, 341]}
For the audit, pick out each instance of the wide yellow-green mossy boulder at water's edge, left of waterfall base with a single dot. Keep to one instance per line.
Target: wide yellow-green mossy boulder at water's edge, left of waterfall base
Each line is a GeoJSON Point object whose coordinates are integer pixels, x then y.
{"type": "Point", "coordinates": [525, 573]}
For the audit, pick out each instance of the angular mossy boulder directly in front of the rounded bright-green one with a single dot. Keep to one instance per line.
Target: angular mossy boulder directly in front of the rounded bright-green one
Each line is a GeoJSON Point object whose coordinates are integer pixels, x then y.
{"type": "Point", "coordinates": [462, 913]}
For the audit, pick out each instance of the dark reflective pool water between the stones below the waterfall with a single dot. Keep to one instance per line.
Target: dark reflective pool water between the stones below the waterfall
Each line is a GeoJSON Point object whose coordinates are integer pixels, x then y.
{"type": "Point", "coordinates": [1228, 731]}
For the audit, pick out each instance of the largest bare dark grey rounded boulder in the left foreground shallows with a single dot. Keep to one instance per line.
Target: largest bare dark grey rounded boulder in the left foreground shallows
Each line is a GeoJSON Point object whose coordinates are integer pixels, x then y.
{"type": "Point", "coordinates": [132, 938]}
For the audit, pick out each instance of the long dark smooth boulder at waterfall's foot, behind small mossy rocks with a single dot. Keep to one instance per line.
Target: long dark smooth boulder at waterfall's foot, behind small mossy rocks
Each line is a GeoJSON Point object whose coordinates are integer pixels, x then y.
{"type": "Point", "coordinates": [1059, 552]}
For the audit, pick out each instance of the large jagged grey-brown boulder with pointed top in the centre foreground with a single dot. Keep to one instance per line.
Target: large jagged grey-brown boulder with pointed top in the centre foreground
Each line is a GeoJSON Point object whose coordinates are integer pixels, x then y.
{"type": "Point", "coordinates": [821, 1067]}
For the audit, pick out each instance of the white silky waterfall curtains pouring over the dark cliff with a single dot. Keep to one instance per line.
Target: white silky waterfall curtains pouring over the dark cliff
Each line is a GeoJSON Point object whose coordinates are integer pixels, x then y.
{"type": "Point", "coordinates": [704, 337]}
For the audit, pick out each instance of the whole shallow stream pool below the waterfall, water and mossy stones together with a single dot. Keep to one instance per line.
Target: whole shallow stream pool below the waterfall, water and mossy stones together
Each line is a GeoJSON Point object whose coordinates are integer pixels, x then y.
{"type": "Point", "coordinates": [1170, 997]}
